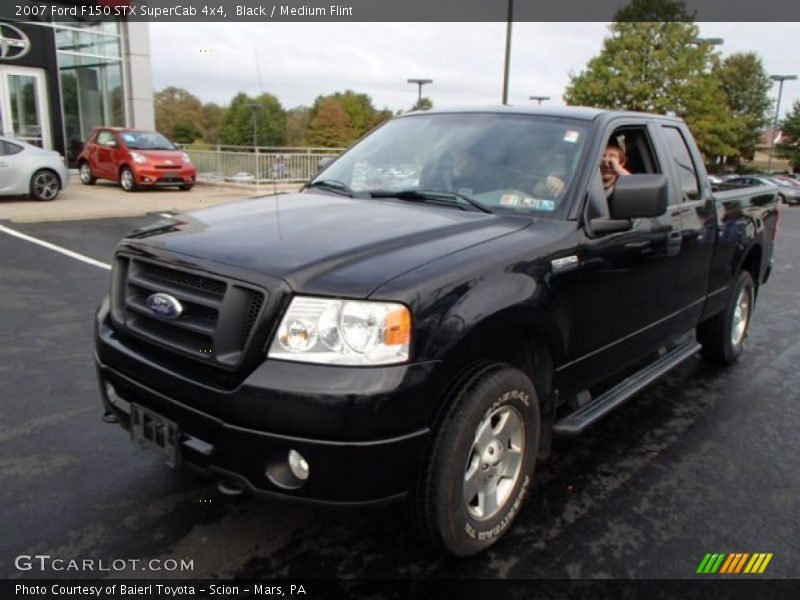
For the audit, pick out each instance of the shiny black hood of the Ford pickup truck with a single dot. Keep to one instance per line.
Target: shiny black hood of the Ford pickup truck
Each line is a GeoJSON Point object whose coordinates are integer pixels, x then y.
{"type": "Point", "coordinates": [325, 244]}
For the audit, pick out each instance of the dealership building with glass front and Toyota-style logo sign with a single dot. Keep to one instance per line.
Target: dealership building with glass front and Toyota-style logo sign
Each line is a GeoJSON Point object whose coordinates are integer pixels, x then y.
{"type": "Point", "coordinates": [59, 80]}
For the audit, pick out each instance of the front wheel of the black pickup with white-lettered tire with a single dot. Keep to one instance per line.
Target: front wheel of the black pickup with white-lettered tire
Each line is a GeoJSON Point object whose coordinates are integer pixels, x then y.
{"type": "Point", "coordinates": [440, 508]}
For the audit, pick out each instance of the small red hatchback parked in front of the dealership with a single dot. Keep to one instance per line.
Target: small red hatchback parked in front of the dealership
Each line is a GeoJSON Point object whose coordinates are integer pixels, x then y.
{"type": "Point", "coordinates": [137, 159]}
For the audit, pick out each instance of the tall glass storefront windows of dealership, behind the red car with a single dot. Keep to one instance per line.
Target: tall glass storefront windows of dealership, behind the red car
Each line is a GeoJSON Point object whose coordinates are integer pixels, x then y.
{"type": "Point", "coordinates": [90, 68]}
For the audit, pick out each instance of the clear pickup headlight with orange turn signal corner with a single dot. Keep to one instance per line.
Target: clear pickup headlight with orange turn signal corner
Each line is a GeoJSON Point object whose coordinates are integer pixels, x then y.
{"type": "Point", "coordinates": [343, 332]}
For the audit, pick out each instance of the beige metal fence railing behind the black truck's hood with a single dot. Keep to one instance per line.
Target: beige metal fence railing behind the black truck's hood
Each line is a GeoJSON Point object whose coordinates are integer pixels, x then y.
{"type": "Point", "coordinates": [245, 164]}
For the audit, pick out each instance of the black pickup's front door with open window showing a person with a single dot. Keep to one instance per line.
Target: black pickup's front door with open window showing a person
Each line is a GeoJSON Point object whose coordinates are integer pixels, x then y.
{"type": "Point", "coordinates": [621, 297]}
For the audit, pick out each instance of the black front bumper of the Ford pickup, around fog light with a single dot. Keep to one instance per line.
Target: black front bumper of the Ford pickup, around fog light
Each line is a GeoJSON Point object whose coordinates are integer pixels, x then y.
{"type": "Point", "coordinates": [227, 432]}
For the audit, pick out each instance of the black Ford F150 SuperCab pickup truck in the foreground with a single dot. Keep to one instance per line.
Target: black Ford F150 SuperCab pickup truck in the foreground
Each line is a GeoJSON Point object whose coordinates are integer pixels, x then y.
{"type": "Point", "coordinates": [437, 303]}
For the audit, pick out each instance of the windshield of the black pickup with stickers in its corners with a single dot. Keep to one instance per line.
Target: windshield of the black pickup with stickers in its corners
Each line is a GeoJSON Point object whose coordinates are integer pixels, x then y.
{"type": "Point", "coordinates": [520, 163]}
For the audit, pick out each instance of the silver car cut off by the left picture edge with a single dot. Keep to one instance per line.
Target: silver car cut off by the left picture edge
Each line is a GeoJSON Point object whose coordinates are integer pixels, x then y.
{"type": "Point", "coordinates": [29, 170]}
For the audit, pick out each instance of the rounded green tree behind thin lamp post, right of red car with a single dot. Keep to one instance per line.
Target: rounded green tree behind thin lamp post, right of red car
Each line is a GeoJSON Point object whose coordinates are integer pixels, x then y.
{"type": "Point", "coordinates": [236, 127]}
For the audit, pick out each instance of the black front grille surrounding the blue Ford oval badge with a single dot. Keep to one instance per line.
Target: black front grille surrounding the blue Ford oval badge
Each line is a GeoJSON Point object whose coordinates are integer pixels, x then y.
{"type": "Point", "coordinates": [218, 316]}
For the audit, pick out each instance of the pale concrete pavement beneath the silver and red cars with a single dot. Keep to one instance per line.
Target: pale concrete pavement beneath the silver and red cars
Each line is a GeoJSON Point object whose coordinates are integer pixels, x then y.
{"type": "Point", "coordinates": [106, 199]}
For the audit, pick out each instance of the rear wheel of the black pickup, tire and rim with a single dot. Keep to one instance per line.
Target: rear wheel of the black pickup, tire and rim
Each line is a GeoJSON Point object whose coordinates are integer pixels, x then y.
{"type": "Point", "coordinates": [721, 344]}
